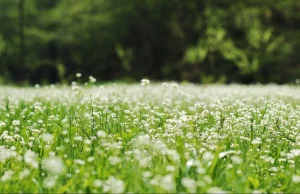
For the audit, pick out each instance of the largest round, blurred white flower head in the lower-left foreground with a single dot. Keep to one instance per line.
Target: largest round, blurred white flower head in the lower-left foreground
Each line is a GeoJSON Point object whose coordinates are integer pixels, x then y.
{"type": "Point", "coordinates": [54, 165]}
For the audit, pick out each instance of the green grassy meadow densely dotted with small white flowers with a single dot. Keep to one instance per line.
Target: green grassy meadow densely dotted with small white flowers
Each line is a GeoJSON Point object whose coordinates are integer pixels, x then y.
{"type": "Point", "coordinates": [150, 138]}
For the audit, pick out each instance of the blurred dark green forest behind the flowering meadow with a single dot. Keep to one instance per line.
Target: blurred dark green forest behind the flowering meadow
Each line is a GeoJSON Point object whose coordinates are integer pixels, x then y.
{"type": "Point", "coordinates": [202, 41]}
